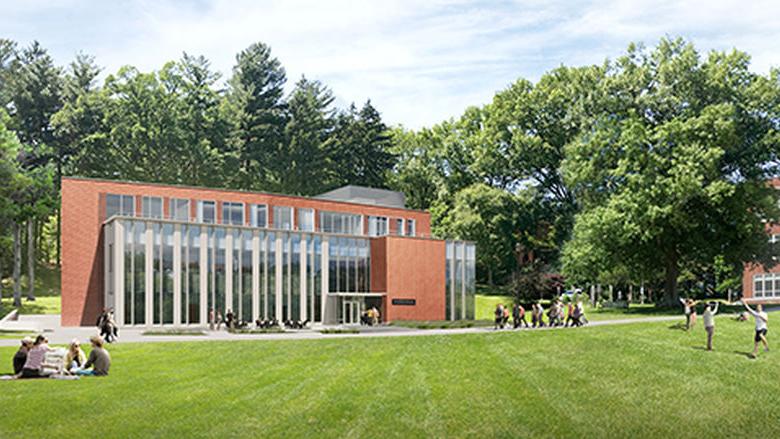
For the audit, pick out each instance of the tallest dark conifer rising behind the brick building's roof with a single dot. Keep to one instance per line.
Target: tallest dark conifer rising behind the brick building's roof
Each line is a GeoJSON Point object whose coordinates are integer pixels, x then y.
{"type": "Point", "coordinates": [255, 95]}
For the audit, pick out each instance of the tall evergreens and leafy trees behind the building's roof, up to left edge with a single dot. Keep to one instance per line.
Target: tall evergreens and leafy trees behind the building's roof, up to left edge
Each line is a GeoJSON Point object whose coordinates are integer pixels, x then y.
{"type": "Point", "coordinates": [181, 124]}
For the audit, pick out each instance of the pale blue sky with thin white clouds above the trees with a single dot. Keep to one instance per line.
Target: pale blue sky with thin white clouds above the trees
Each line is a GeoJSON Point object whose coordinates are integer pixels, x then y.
{"type": "Point", "coordinates": [420, 62]}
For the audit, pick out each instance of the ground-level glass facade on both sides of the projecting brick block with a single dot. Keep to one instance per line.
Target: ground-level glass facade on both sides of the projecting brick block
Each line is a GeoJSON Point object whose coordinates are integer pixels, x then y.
{"type": "Point", "coordinates": [176, 273]}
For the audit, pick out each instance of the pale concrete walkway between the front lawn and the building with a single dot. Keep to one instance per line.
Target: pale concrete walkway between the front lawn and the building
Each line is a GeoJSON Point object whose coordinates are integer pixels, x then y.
{"type": "Point", "coordinates": [58, 335]}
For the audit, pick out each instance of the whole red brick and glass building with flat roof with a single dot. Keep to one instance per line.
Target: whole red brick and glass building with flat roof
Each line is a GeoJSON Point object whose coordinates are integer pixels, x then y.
{"type": "Point", "coordinates": [169, 255]}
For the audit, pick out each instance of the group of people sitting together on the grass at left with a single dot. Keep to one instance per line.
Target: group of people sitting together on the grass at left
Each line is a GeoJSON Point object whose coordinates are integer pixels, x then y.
{"type": "Point", "coordinates": [30, 361]}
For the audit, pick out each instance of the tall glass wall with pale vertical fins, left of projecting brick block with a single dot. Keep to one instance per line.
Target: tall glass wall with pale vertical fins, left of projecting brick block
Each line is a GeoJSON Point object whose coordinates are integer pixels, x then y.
{"type": "Point", "coordinates": [151, 246]}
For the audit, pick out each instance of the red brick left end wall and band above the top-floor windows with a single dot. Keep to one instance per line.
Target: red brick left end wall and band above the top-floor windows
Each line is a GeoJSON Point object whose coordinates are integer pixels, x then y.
{"type": "Point", "coordinates": [83, 213]}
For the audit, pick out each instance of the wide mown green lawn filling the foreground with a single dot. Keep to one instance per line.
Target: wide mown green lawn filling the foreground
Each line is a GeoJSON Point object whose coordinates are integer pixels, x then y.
{"type": "Point", "coordinates": [635, 380]}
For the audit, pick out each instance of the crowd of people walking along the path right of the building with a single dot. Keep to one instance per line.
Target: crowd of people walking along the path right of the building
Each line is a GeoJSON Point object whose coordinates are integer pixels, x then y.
{"type": "Point", "coordinates": [573, 314]}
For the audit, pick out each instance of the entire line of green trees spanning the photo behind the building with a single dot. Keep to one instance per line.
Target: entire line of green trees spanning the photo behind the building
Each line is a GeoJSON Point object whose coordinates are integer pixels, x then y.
{"type": "Point", "coordinates": [647, 170]}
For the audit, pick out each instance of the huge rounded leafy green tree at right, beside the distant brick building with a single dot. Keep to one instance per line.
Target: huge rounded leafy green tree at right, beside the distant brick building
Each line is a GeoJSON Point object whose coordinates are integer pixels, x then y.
{"type": "Point", "coordinates": [673, 171]}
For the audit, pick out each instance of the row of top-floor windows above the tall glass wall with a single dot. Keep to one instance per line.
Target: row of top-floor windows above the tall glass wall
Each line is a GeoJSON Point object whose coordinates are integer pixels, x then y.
{"type": "Point", "coordinates": [284, 217]}
